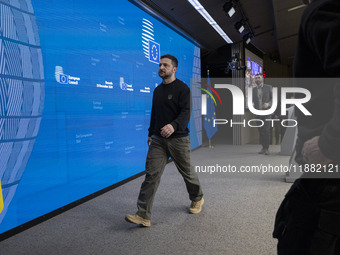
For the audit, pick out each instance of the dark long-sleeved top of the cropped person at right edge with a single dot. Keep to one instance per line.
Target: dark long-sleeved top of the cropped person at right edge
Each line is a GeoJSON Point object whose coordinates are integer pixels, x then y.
{"type": "Point", "coordinates": [318, 55]}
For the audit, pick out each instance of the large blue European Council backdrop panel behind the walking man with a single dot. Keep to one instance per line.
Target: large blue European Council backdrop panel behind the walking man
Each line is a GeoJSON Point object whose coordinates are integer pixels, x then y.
{"type": "Point", "coordinates": [76, 85]}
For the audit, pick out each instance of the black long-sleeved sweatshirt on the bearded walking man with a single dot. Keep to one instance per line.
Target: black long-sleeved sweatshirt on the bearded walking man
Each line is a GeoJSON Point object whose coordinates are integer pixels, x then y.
{"type": "Point", "coordinates": [170, 105]}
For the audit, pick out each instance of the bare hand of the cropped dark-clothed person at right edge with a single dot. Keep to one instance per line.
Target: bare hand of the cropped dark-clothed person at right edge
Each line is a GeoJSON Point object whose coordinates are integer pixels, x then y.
{"type": "Point", "coordinates": [312, 154]}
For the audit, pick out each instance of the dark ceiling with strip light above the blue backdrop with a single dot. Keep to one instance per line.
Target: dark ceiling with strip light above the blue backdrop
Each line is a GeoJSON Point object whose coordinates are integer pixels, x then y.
{"type": "Point", "coordinates": [274, 27]}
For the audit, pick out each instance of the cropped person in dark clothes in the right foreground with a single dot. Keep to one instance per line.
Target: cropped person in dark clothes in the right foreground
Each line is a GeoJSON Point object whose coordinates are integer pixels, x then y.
{"type": "Point", "coordinates": [308, 220]}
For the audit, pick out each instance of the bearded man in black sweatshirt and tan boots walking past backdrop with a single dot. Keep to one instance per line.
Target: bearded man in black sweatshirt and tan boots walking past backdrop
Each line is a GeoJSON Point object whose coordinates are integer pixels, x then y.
{"type": "Point", "coordinates": [168, 137]}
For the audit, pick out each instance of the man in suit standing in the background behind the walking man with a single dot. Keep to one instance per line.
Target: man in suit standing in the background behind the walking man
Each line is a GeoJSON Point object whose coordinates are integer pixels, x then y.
{"type": "Point", "coordinates": [262, 100]}
